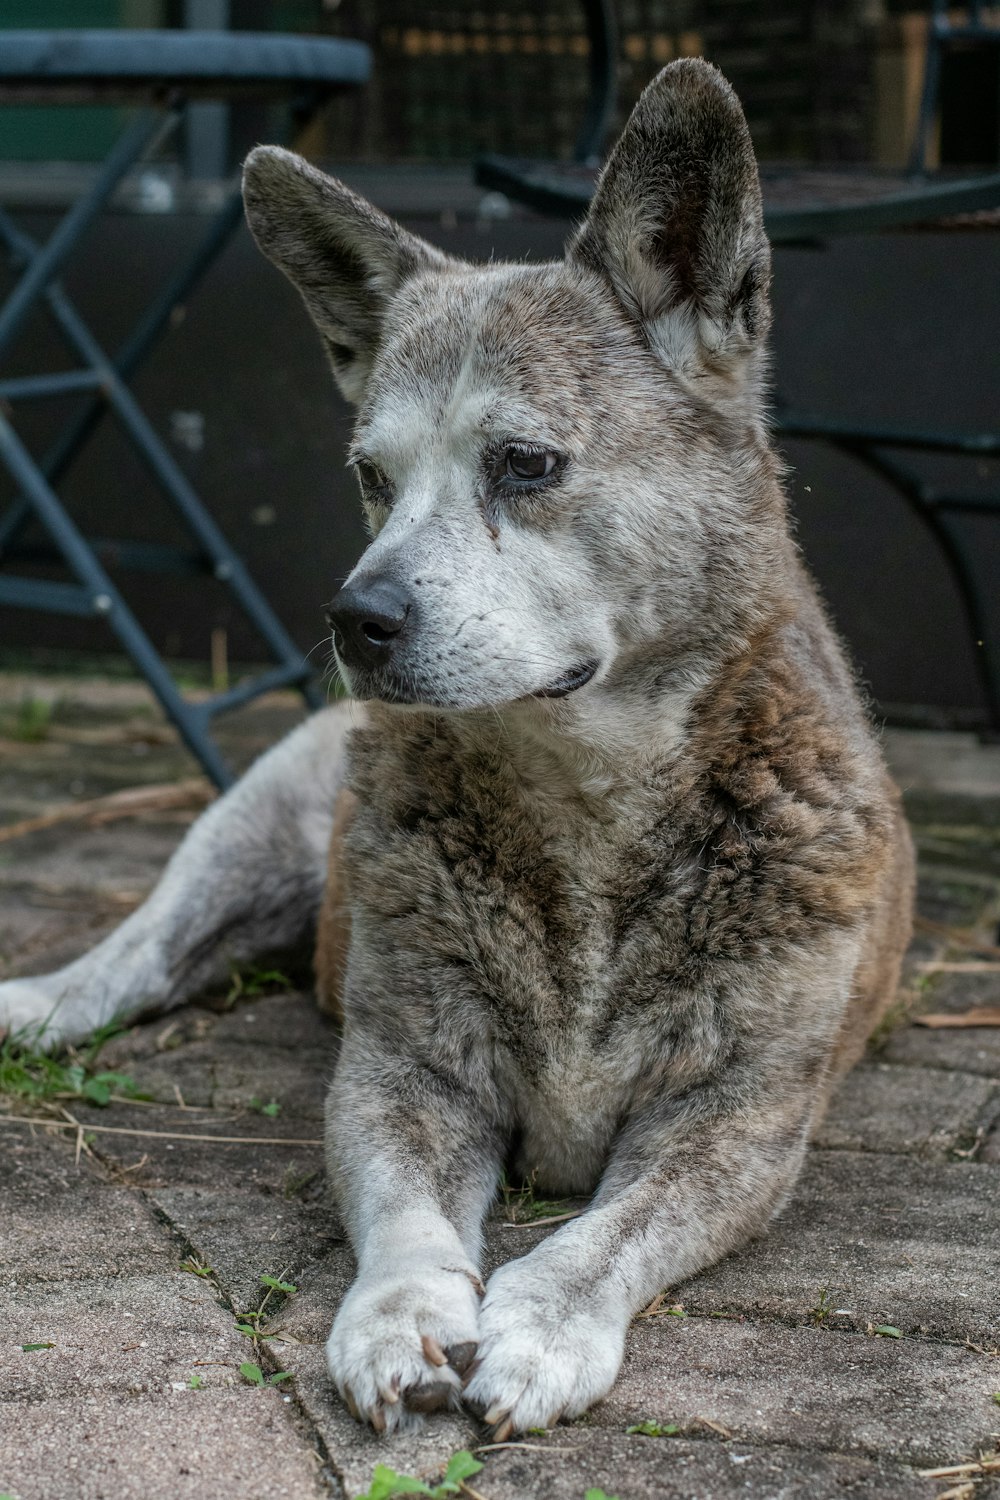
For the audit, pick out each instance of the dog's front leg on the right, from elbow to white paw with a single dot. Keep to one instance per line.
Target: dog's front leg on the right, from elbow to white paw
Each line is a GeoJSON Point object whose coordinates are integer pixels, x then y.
{"type": "Point", "coordinates": [554, 1324]}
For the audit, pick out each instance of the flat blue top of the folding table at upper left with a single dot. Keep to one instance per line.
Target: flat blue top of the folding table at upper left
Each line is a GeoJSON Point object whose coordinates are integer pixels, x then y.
{"type": "Point", "coordinates": [125, 64]}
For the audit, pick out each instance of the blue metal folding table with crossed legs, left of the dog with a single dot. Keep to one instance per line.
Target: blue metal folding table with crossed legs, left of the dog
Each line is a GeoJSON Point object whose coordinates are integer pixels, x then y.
{"type": "Point", "coordinates": [163, 71]}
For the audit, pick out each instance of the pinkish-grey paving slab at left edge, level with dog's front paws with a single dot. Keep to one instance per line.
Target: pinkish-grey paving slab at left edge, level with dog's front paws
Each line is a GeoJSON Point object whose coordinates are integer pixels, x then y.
{"type": "Point", "coordinates": [127, 1336]}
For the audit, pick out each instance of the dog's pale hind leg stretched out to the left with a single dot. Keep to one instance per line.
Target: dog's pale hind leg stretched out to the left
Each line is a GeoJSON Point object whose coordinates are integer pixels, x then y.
{"type": "Point", "coordinates": [248, 880]}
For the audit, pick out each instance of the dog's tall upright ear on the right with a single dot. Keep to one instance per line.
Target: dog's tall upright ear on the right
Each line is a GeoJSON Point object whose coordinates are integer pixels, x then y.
{"type": "Point", "coordinates": [677, 226]}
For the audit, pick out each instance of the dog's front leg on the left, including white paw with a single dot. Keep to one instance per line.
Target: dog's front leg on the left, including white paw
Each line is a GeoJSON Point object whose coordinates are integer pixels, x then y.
{"type": "Point", "coordinates": [416, 1159]}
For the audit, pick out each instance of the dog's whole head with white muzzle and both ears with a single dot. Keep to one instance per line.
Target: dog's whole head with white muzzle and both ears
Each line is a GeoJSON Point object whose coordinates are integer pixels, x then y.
{"type": "Point", "coordinates": [563, 467]}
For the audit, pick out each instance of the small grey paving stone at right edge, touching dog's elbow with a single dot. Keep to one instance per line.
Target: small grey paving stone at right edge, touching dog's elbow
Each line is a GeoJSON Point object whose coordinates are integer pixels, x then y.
{"type": "Point", "coordinates": [896, 1109]}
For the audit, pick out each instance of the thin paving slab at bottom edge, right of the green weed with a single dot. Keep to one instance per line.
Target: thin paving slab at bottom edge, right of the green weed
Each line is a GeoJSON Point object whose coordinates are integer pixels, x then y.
{"type": "Point", "coordinates": [570, 1462]}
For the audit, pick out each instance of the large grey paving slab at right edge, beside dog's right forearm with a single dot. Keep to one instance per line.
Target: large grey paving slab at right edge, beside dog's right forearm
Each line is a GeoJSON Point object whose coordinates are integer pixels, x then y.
{"type": "Point", "coordinates": [885, 1238]}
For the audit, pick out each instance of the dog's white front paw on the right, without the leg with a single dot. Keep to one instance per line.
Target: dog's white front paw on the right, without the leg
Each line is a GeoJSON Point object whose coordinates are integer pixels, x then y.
{"type": "Point", "coordinates": [548, 1351]}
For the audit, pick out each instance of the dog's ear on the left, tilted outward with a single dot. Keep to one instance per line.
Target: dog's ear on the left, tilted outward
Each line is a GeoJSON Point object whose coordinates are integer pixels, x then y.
{"type": "Point", "coordinates": [343, 254]}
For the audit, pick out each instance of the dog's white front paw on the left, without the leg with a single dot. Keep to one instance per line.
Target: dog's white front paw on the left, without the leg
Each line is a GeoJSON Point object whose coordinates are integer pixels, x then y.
{"type": "Point", "coordinates": [401, 1346]}
